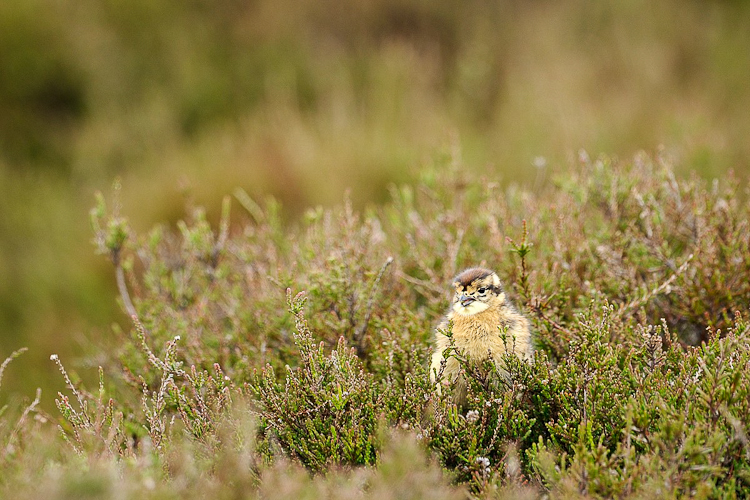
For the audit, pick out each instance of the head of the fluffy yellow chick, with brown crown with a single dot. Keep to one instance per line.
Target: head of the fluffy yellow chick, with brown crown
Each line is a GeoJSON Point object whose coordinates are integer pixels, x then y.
{"type": "Point", "coordinates": [475, 290]}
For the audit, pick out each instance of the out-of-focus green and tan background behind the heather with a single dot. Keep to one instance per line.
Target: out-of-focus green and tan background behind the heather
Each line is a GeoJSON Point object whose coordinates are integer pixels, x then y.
{"type": "Point", "coordinates": [188, 99]}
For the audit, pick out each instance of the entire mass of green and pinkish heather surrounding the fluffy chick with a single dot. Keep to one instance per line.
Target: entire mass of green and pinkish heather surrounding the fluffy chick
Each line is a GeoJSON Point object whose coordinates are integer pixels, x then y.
{"type": "Point", "coordinates": [272, 360]}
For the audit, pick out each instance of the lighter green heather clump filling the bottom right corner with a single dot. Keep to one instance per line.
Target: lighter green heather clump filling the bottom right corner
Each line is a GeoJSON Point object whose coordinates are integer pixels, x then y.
{"type": "Point", "coordinates": [685, 432]}
